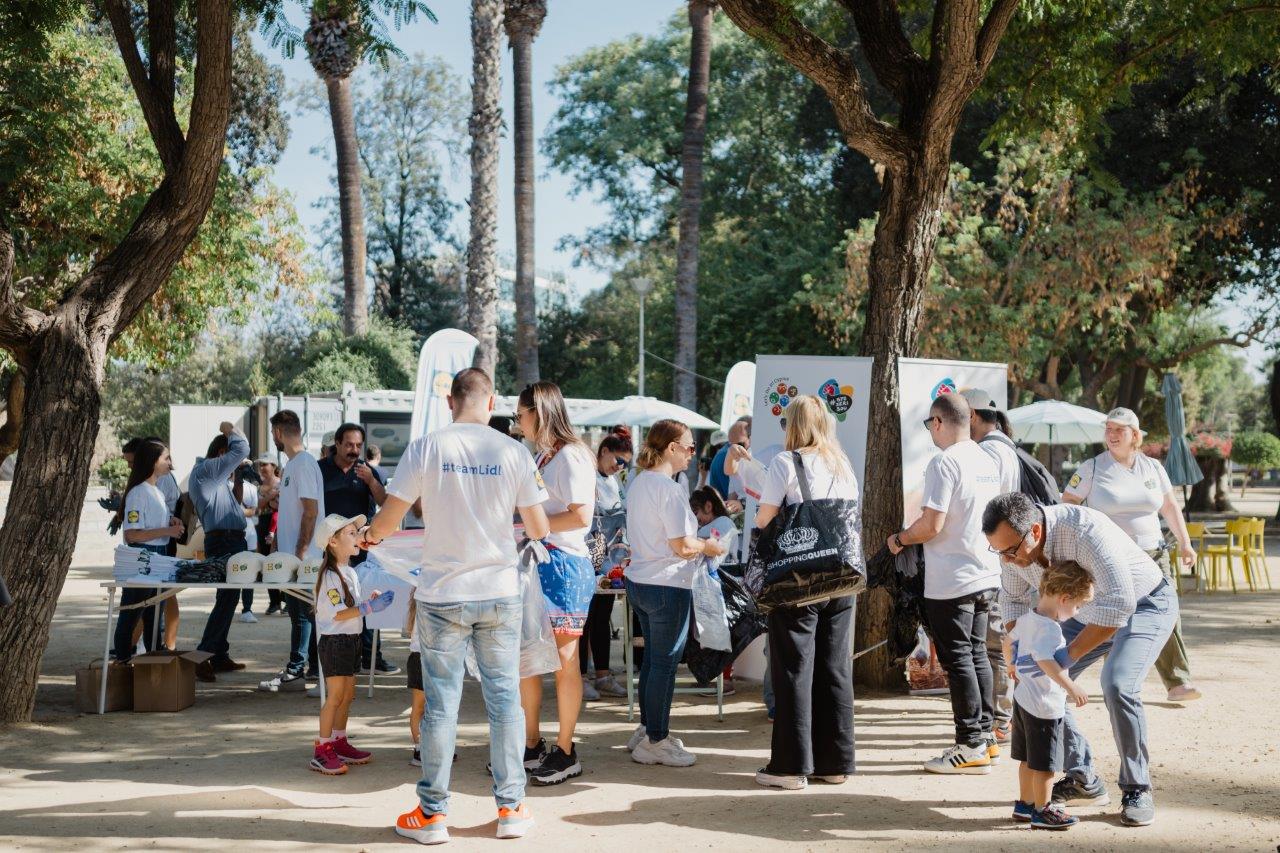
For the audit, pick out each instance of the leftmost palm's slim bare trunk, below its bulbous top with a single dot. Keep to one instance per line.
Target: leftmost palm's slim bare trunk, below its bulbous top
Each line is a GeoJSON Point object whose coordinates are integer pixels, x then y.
{"type": "Point", "coordinates": [355, 298]}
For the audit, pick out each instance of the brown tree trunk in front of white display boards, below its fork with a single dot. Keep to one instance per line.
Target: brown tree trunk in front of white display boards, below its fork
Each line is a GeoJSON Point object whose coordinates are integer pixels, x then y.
{"type": "Point", "coordinates": [906, 236]}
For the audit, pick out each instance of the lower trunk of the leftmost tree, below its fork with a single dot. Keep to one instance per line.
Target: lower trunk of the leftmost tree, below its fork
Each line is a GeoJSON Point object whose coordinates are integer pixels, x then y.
{"type": "Point", "coordinates": [49, 485]}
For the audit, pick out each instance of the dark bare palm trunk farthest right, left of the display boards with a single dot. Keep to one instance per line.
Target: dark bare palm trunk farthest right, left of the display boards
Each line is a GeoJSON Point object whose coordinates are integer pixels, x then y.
{"type": "Point", "coordinates": [692, 203]}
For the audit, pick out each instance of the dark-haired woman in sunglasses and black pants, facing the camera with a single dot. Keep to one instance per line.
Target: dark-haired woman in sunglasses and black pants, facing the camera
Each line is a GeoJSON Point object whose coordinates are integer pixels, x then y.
{"type": "Point", "coordinates": [612, 457]}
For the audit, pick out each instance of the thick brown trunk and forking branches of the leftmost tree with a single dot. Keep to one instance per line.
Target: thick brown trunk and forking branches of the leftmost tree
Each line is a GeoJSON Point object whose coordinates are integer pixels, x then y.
{"type": "Point", "coordinates": [65, 352]}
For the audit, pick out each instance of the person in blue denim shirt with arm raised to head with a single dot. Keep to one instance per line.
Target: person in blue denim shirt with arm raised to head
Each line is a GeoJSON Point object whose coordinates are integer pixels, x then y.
{"type": "Point", "coordinates": [222, 516]}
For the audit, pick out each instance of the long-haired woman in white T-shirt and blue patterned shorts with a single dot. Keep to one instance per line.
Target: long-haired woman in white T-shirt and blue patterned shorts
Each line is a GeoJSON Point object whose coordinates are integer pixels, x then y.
{"type": "Point", "coordinates": [568, 468]}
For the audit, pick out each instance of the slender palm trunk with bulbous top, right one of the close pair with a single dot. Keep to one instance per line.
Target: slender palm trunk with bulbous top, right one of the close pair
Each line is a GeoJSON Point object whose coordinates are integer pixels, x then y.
{"type": "Point", "coordinates": [524, 21]}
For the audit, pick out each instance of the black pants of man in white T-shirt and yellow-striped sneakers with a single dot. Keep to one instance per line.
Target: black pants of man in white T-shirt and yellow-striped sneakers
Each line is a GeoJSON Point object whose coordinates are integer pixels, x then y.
{"type": "Point", "coordinates": [959, 628]}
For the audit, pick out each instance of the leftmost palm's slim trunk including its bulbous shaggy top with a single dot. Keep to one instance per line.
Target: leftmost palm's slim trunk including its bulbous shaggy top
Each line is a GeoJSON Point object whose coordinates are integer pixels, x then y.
{"type": "Point", "coordinates": [335, 43]}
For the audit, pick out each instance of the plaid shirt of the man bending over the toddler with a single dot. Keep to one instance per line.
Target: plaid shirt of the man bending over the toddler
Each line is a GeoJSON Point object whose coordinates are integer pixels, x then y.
{"type": "Point", "coordinates": [1122, 572]}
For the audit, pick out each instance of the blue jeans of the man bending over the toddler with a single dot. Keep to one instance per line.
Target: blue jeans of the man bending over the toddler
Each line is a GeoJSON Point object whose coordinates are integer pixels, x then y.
{"type": "Point", "coordinates": [1131, 654]}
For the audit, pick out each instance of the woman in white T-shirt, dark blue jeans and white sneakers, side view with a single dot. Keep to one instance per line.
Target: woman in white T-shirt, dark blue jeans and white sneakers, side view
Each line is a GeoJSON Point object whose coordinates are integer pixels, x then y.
{"type": "Point", "coordinates": [665, 555]}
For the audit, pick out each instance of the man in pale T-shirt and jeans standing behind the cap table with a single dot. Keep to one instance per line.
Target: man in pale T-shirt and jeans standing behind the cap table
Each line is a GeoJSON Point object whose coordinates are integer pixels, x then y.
{"type": "Point", "coordinates": [301, 504]}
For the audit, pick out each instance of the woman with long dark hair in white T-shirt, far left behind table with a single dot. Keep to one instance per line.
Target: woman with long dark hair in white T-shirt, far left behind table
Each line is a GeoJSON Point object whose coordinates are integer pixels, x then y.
{"type": "Point", "coordinates": [147, 523]}
